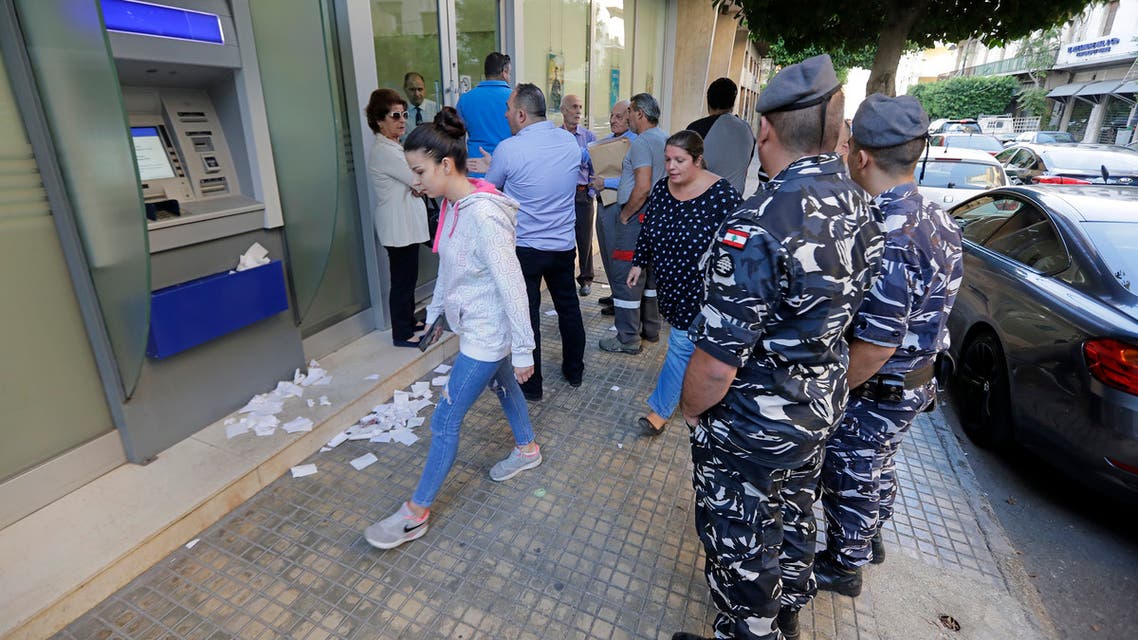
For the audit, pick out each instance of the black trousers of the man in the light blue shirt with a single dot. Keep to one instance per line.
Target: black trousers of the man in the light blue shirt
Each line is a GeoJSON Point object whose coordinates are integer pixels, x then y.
{"type": "Point", "coordinates": [556, 268]}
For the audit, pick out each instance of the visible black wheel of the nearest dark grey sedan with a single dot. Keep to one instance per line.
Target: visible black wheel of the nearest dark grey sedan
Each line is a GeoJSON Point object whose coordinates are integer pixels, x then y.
{"type": "Point", "coordinates": [983, 388]}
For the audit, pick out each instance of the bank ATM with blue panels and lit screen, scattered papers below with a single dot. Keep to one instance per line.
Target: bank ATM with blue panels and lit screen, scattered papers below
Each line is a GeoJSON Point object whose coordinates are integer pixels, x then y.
{"type": "Point", "coordinates": [193, 100]}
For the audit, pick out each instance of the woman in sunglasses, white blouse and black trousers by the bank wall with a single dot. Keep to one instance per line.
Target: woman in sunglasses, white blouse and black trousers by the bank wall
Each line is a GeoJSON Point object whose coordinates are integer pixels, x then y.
{"type": "Point", "coordinates": [401, 215]}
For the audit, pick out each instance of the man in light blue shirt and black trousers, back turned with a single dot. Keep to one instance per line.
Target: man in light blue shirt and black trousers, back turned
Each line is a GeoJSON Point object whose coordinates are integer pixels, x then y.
{"type": "Point", "coordinates": [539, 167]}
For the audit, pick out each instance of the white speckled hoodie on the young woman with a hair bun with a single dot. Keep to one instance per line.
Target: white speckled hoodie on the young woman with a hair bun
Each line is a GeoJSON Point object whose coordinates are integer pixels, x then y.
{"type": "Point", "coordinates": [480, 286]}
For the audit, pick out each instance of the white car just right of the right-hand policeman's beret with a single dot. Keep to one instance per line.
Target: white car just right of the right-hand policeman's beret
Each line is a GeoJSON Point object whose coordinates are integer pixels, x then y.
{"type": "Point", "coordinates": [952, 175]}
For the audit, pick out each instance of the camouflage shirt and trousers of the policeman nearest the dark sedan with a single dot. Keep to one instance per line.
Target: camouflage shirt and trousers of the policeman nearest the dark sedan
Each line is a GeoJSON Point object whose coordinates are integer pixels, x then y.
{"type": "Point", "coordinates": [908, 308]}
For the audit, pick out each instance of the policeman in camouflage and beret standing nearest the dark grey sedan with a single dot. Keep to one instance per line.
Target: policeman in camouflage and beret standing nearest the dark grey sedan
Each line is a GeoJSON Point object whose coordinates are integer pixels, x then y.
{"type": "Point", "coordinates": [898, 332]}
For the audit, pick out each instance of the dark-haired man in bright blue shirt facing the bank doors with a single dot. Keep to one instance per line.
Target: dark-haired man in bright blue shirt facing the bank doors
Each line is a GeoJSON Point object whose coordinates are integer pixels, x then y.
{"type": "Point", "coordinates": [483, 109]}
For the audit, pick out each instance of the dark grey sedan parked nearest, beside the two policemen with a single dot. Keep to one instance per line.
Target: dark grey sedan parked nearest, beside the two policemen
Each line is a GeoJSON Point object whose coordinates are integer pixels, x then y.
{"type": "Point", "coordinates": [1045, 329]}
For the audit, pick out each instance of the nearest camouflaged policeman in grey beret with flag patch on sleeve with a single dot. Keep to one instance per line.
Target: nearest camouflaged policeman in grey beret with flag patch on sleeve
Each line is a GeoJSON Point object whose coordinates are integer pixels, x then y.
{"type": "Point", "coordinates": [766, 384]}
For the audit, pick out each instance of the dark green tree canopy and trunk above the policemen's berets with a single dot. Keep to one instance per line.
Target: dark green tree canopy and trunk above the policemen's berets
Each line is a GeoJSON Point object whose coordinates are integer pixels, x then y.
{"type": "Point", "coordinates": [888, 26]}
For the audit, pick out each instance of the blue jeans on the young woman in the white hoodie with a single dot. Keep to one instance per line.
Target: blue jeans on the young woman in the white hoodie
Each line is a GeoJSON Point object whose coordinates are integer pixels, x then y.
{"type": "Point", "coordinates": [468, 380]}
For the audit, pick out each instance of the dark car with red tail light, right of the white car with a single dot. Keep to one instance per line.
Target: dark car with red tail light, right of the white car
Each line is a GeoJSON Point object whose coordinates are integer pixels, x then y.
{"type": "Point", "coordinates": [1069, 165]}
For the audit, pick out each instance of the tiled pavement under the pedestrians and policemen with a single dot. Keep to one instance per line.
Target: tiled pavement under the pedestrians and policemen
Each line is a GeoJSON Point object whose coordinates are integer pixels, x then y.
{"type": "Point", "coordinates": [597, 543]}
